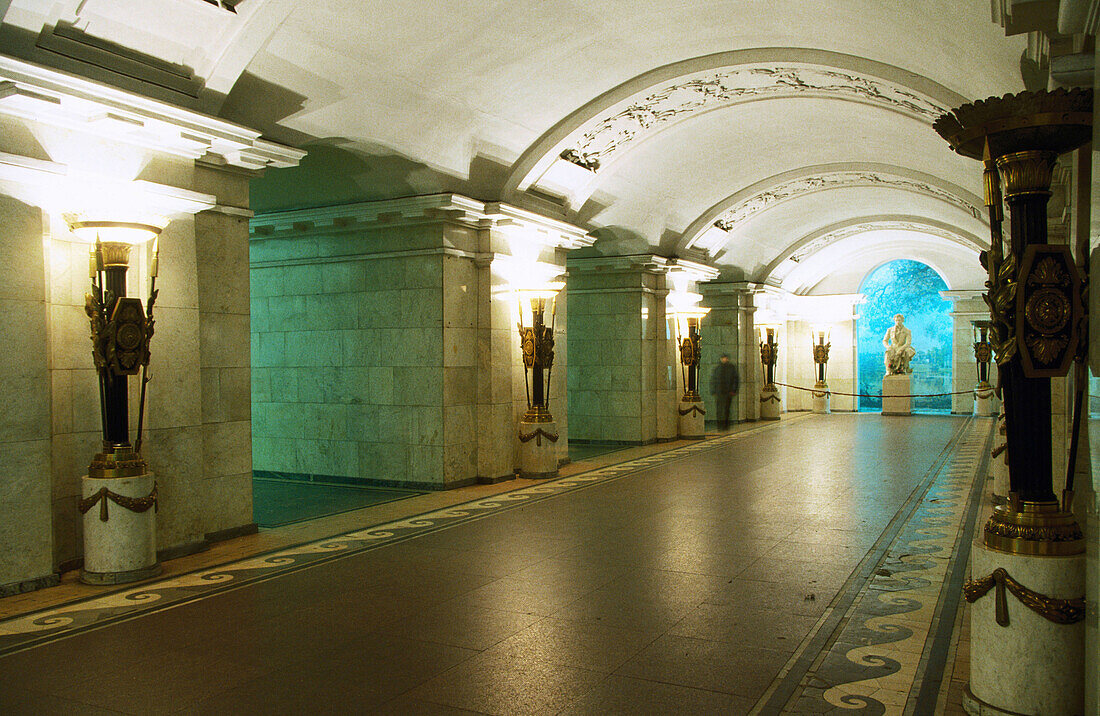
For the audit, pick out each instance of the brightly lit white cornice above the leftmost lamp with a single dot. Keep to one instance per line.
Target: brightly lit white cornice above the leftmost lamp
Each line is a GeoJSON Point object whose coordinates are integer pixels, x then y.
{"type": "Point", "coordinates": [42, 95]}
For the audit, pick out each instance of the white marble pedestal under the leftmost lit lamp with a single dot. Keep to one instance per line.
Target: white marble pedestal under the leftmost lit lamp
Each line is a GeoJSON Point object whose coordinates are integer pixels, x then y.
{"type": "Point", "coordinates": [123, 548]}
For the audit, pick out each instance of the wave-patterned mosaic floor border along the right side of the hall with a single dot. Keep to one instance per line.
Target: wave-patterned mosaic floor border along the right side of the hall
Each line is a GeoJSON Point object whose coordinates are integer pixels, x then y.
{"type": "Point", "coordinates": [884, 635]}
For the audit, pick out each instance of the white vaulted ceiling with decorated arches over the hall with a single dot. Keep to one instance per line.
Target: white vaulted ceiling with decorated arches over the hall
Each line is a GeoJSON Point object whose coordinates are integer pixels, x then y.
{"type": "Point", "coordinates": [786, 142]}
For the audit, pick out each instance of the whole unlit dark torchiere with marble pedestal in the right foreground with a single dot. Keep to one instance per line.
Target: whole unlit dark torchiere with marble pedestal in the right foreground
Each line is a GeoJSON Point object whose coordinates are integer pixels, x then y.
{"type": "Point", "coordinates": [1030, 630]}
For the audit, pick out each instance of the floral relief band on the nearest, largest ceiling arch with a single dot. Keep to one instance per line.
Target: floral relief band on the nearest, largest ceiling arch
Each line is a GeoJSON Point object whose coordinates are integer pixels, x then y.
{"type": "Point", "coordinates": [607, 136]}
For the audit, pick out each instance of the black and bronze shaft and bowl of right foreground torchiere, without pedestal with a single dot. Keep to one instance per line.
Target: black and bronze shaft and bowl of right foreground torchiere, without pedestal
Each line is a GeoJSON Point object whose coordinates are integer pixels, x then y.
{"type": "Point", "coordinates": [1035, 298]}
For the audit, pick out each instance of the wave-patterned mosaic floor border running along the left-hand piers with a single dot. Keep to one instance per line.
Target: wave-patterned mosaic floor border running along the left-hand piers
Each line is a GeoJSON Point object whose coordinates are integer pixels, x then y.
{"type": "Point", "coordinates": [29, 631]}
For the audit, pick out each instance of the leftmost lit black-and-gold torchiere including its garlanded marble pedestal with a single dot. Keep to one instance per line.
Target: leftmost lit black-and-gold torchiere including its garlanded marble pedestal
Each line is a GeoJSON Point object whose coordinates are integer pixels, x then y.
{"type": "Point", "coordinates": [120, 533]}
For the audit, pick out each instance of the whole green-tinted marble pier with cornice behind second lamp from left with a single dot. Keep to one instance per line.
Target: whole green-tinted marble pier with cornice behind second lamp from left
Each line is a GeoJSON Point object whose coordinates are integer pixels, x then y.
{"type": "Point", "coordinates": [383, 350]}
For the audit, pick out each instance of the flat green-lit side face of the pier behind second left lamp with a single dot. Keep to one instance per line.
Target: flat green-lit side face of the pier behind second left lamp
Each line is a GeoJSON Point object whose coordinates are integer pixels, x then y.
{"type": "Point", "coordinates": [348, 358]}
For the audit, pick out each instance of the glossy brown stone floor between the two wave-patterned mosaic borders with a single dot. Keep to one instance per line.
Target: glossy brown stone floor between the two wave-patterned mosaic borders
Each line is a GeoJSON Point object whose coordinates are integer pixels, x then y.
{"type": "Point", "coordinates": [684, 587]}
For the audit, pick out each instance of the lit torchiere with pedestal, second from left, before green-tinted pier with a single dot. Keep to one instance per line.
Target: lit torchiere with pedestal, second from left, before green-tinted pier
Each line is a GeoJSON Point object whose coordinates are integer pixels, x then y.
{"type": "Point", "coordinates": [537, 431]}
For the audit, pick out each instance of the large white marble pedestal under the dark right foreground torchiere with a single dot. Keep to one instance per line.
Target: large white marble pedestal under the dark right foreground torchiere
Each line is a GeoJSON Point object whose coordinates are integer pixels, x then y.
{"type": "Point", "coordinates": [1033, 666]}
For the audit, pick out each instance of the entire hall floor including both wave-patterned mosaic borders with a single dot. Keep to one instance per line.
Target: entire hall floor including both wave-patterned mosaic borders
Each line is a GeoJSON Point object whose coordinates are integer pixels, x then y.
{"type": "Point", "coordinates": [735, 576]}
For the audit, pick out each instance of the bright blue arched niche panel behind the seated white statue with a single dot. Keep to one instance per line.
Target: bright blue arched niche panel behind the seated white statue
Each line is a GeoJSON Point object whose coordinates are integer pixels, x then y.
{"type": "Point", "coordinates": [911, 289]}
